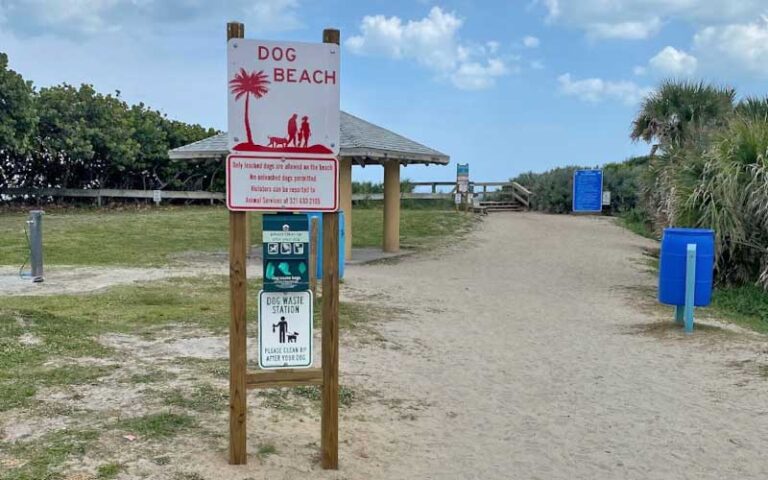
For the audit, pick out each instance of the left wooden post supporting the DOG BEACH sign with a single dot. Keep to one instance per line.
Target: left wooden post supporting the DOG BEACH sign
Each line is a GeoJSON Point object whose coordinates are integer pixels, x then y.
{"type": "Point", "coordinates": [237, 306]}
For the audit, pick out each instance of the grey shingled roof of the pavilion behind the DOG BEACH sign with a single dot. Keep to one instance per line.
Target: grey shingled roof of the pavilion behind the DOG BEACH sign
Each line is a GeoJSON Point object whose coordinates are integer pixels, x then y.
{"type": "Point", "coordinates": [363, 141]}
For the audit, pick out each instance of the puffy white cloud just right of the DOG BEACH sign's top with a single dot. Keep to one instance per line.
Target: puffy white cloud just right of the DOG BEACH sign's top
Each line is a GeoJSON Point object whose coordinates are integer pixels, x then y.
{"type": "Point", "coordinates": [432, 42]}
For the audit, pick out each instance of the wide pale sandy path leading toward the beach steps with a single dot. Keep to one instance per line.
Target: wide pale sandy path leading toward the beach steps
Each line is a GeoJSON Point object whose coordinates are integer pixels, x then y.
{"type": "Point", "coordinates": [522, 347]}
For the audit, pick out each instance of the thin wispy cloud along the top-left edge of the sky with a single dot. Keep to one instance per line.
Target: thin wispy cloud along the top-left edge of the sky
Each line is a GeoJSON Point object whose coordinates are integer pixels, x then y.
{"type": "Point", "coordinates": [82, 18]}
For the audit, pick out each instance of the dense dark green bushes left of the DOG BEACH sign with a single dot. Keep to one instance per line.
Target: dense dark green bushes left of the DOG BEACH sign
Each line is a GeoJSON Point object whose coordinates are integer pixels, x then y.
{"type": "Point", "coordinates": [74, 137]}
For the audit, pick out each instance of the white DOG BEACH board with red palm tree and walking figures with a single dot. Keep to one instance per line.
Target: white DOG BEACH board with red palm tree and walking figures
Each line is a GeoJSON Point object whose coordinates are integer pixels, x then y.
{"type": "Point", "coordinates": [283, 97]}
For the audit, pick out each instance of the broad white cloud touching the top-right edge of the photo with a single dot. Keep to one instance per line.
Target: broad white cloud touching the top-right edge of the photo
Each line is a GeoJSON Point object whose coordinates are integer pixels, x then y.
{"type": "Point", "coordinates": [639, 19]}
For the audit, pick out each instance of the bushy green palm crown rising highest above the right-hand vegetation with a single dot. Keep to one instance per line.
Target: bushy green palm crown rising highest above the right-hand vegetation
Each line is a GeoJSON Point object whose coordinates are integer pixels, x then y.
{"type": "Point", "coordinates": [681, 113]}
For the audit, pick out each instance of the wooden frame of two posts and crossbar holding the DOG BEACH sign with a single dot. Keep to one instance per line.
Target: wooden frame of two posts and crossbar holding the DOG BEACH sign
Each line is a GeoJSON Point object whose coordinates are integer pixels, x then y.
{"type": "Point", "coordinates": [328, 375]}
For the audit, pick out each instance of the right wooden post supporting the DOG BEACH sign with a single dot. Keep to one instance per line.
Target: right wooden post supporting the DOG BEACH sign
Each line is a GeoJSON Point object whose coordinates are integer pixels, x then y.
{"type": "Point", "coordinates": [329, 422]}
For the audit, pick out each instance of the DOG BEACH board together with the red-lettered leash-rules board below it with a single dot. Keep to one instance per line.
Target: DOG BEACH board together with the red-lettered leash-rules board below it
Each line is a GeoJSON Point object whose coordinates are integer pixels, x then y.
{"type": "Point", "coordinates": [283, 120]}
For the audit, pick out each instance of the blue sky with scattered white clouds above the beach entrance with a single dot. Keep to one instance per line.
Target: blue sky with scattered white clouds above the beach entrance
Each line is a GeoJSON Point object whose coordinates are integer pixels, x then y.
{"type": "Point", "coordinates": [506, 86]}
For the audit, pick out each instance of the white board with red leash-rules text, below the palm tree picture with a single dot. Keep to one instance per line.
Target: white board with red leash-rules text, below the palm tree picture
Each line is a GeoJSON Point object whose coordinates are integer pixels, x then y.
{"type": "Point", "coordinates": [290, 183]}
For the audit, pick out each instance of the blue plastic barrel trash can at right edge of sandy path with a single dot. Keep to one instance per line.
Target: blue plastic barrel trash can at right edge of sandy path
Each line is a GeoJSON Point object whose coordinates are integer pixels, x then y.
{"type": "Point", "coordinates": [672, 265]}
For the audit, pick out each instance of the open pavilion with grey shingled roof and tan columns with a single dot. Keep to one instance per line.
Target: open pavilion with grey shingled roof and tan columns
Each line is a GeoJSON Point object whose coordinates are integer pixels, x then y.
{"type": "Point", "coordinates": [362, 143]}
